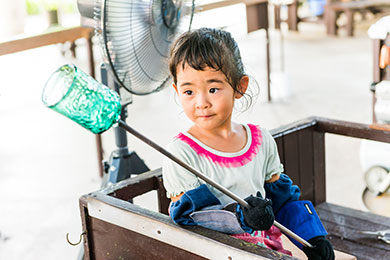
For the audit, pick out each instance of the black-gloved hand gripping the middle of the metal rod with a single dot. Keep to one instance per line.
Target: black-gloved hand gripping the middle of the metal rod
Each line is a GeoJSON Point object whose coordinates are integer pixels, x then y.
{"type": "Point", "coordinates": [260, 216]}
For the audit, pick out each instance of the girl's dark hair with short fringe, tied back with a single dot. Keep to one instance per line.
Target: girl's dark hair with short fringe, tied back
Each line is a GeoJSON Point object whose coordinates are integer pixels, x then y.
{"type": "Point", "coordinates": [208, 47]}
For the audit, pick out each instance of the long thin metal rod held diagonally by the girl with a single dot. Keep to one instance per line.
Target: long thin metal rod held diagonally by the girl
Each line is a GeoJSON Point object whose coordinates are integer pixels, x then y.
{"type": "Point", "coordinates": [205, 178]}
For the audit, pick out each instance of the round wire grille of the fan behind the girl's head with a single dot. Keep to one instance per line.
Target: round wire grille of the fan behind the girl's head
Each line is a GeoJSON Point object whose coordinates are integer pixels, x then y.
{"type": "Point", "coordinates": [136, 40]}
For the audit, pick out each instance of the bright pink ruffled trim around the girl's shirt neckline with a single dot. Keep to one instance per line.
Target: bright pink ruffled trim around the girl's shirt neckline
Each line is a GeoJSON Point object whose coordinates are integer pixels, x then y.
{"type": "Point", "coordinates": [229, 161]}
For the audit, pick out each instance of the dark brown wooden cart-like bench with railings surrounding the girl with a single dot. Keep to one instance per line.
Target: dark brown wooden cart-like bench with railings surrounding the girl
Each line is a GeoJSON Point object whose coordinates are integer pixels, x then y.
{"type": "Point", "coordinates": [117, 229]}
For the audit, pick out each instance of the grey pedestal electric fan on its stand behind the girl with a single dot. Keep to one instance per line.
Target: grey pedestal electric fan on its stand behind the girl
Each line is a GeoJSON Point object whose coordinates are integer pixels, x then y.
{"type": "Point", "coordinates": [135, 37]}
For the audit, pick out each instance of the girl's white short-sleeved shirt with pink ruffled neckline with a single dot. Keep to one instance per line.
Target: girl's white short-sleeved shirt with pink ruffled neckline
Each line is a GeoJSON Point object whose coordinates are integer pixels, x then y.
{"type": "Point", "coordinates": [243, 172]}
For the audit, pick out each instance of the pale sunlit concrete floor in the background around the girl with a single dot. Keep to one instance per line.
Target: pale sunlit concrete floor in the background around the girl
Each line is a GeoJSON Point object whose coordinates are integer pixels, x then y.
{"type": "Point", "coordinates": [47, 162]}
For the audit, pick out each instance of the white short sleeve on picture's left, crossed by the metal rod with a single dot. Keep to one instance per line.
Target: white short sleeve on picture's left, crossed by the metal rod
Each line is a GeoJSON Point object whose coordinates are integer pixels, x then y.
{"type": "Point", "coordinates": [176, 178]}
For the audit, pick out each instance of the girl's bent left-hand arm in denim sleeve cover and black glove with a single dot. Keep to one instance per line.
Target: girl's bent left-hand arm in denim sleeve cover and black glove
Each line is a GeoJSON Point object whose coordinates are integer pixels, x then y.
{"type": "Point", "coordinates": [200, 207]}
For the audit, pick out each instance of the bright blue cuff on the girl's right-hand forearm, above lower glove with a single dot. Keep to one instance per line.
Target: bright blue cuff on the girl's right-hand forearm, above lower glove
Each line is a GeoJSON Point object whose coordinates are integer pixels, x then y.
{"type": "Point", "coordinates": [301, 218]}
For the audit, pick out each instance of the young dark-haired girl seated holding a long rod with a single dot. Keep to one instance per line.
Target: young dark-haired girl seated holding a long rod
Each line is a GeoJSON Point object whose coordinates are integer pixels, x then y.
{"type": "Point", "coordinates": [208, 77]}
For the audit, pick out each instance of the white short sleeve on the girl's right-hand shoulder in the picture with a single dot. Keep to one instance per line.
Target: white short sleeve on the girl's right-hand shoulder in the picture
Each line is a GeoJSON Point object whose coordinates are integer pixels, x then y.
{"type": "Point", "coordinates": [273, 165]}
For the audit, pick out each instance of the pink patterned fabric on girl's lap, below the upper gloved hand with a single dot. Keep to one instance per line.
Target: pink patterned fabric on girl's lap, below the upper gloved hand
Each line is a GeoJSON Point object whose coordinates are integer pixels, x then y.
{"type": "Point", "coordinates": [270, 239]}
